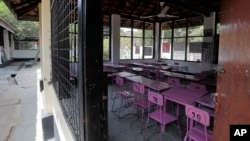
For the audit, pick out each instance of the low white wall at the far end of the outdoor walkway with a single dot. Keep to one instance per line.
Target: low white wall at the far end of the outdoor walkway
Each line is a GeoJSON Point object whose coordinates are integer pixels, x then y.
{"type": "Point", "coordinates": [22, 54]}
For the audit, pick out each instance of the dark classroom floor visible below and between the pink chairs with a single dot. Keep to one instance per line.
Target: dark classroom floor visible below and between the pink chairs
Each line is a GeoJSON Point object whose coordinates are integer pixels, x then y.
{"type": "Point", "coordinates": [120, 130]}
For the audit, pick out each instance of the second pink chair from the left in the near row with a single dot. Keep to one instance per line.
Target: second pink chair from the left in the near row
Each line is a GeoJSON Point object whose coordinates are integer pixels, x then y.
{"type": "Point", "coordinates": [141, 101]}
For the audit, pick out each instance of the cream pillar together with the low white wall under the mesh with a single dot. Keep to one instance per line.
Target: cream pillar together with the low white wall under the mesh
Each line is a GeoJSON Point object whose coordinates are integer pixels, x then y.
{"type": "Point", "coordinates": [51, 102]}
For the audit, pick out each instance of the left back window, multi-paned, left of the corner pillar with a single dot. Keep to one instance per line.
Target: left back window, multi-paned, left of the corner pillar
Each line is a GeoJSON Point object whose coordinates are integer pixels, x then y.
{"type": "Point", "coordinates": [137, 43]}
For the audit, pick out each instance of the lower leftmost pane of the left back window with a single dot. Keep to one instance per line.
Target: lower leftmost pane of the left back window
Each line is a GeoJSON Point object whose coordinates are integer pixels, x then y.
{"type": "Point", "coordinates": [125, 48]}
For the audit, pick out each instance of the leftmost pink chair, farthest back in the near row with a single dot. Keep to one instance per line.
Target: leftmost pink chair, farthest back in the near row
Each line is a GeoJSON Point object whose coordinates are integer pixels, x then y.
{"type": "Point", "coordinates": [123, 95]}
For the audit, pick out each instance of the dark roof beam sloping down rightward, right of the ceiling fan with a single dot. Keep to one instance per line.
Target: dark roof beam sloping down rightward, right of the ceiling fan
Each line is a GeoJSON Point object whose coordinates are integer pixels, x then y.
{"type": "Point", "coordinates": [185, 6]}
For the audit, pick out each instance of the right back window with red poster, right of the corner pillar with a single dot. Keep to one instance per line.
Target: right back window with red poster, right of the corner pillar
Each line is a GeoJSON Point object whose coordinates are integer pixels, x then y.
{"type": "Point", "coordinates": [183, 40]}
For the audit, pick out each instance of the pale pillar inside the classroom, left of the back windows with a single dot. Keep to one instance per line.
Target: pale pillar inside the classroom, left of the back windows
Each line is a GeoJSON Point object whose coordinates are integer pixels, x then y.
{"type": "Point", "coordinates": [115, 38]}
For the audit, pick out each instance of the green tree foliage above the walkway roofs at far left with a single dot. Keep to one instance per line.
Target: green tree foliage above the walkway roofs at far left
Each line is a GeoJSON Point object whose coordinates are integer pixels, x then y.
{"type": "Point", "coordinates": [23, 28]}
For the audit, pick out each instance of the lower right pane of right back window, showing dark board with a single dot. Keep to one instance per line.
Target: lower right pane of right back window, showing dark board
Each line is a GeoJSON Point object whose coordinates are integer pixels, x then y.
{"type": "Point", "coordinates": [194, 49]}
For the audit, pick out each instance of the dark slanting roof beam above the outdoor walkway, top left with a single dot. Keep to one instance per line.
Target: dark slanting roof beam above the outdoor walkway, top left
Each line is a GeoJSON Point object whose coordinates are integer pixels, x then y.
{"type": "Point", "coordinates": [24, 10]}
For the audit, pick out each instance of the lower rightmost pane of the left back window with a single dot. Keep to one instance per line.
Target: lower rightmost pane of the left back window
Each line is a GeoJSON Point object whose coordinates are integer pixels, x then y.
{"type": "Point", "coordinates": [148, 48]}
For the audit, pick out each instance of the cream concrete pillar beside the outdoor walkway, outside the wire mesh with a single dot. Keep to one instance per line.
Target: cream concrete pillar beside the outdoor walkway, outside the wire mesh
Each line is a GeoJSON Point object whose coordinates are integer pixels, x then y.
{"type": "Point", "coordinates": [46, 54]}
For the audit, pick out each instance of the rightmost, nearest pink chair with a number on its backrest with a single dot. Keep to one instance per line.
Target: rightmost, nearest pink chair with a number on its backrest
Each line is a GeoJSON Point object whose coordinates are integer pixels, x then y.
{"type": "Point", "coordinates": [195, 131]}
